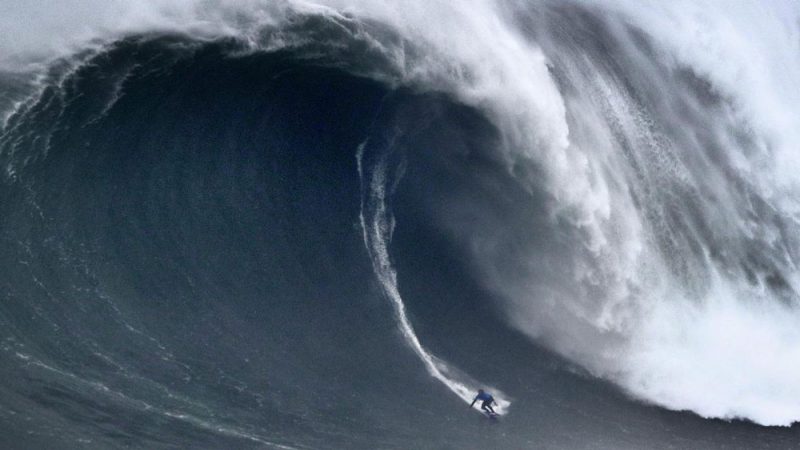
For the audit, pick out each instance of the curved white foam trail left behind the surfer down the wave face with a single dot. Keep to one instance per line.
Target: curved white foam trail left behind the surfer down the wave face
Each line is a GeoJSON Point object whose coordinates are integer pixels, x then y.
{"type": "Point", "coordinates": [377, 234]}
